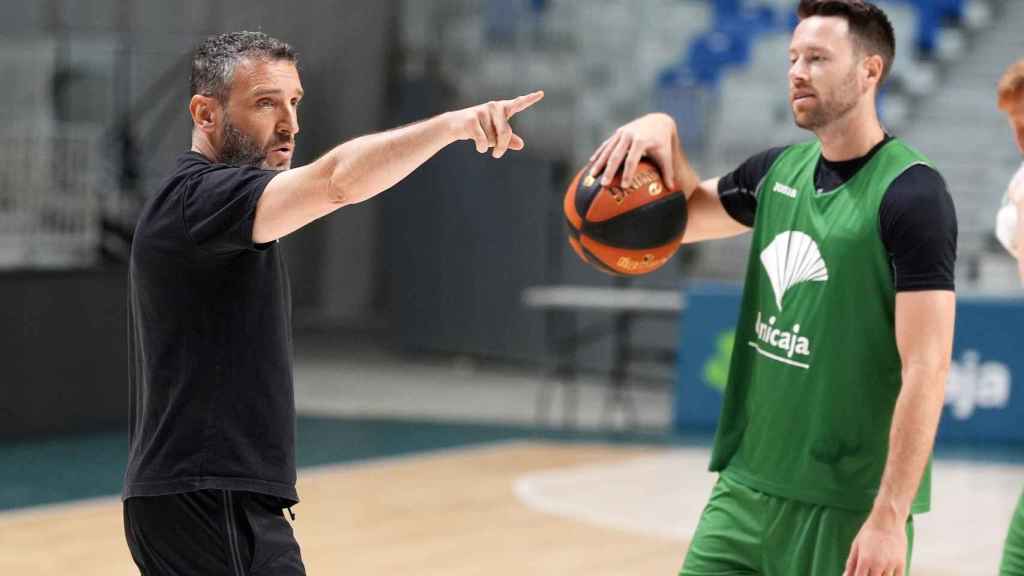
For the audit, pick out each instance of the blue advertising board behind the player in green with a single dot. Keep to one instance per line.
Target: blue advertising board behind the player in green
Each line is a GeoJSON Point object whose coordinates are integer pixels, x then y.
{"type": "Point", "coordinates": [989, 352]}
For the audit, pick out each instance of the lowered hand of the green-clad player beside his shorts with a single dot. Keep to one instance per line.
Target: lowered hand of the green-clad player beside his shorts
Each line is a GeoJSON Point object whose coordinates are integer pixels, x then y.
{"type": "Point", "coordinates": [879, 550]}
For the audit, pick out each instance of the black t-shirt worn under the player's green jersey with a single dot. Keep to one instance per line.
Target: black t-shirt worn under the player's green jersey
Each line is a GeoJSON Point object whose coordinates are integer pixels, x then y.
{"type": "Point", "coordinates": [917, 220]}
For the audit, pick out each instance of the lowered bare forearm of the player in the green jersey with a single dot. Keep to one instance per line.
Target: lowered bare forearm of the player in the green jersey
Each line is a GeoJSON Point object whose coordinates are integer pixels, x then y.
{"type": "Point", "coordinates": [911, 440]}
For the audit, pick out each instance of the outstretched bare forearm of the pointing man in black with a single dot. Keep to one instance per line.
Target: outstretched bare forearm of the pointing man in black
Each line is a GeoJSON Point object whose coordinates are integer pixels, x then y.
{"type": "Point", "coordinates": [368, 166]}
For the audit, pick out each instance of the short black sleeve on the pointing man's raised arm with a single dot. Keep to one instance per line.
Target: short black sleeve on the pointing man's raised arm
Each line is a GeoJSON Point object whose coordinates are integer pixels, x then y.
{"type": "Point", "coordinates": [221, 208]}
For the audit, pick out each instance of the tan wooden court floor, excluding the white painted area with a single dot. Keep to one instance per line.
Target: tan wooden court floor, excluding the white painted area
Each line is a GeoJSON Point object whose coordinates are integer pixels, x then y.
{"type": "Point", "coordinates": [452, 513]}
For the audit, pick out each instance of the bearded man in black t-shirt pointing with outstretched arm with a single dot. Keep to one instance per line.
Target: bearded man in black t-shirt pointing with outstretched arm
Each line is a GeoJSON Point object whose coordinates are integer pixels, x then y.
{"type": "Point", "coordinates": [212, 462]}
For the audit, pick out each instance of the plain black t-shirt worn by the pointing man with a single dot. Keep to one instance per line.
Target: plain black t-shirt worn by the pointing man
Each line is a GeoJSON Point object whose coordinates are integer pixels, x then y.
{"type": "Point", "coordinates": [212, 401]}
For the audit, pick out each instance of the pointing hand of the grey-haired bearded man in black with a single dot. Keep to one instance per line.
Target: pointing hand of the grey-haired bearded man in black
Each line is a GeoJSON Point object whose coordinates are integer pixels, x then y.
{"type": "Point", "coordinates": [488, 125]}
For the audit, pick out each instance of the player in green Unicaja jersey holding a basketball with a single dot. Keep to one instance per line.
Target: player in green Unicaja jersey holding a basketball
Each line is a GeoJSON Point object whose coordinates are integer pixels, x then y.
{"type": "Point", "coordinates": [845, 333]}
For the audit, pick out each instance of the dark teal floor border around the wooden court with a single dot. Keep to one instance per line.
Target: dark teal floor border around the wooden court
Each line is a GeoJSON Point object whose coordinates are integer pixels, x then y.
{"type": "Point", "coordinates": [84, 467]}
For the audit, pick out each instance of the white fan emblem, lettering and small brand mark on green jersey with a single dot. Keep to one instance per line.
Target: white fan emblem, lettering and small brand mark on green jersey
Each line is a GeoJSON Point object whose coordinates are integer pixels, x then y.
{"type": "Point", "coordinates": [792, 259]}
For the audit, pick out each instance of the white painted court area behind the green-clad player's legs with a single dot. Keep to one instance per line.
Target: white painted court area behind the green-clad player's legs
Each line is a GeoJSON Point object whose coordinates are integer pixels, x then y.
{"type": "Point", "coordinates": [663, 497]}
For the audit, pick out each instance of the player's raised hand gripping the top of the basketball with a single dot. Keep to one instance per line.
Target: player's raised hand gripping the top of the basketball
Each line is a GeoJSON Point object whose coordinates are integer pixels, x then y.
{"type": "Point", "coordinates": [651, 136]}
